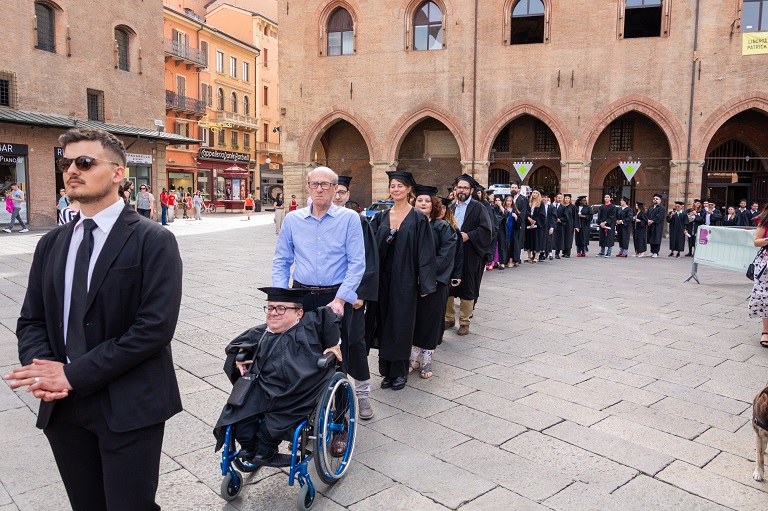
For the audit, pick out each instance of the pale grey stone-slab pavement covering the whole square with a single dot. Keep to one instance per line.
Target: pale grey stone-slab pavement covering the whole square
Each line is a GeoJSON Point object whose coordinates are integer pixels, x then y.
{"type": "Point", "coordinates": [584, 384]}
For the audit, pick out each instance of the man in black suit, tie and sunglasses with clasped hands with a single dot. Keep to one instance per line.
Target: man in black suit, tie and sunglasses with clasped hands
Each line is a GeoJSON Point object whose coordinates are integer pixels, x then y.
{"type": "Point", "coordinates": [95, 332]}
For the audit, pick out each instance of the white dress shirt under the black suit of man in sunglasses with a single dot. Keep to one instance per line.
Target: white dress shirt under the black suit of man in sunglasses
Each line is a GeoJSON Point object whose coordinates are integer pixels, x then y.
{"type": "Point", "coordinates": [104, 219]}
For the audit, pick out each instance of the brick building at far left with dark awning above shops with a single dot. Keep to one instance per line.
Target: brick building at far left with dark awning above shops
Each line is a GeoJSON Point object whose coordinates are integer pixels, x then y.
{"type": "Point", "coordinates": [73, 63]}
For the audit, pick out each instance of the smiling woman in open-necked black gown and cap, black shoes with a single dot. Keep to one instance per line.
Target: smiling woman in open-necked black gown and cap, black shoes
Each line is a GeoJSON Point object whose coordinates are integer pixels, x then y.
{"type": "Point", "coordinates": [406, 271]}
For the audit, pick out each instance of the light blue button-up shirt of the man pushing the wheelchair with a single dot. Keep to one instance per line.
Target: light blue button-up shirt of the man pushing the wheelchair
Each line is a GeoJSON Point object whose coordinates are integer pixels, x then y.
{"type": "Point", "coordinates": [325, 252]}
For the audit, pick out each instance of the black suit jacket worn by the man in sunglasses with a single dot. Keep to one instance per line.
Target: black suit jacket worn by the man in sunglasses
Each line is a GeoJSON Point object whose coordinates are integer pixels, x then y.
{"type": "Point", "coordinates": [131, 313]}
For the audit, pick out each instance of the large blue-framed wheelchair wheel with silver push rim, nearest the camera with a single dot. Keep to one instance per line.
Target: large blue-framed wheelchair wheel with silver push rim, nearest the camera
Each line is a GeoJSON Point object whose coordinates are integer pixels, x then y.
{"type": "Point", "coordinates": [336, 414]}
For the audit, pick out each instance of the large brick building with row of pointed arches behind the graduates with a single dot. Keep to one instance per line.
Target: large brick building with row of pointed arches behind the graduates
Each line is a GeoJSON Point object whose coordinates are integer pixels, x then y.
{"type": "Point", "coordinates": [446, 86]}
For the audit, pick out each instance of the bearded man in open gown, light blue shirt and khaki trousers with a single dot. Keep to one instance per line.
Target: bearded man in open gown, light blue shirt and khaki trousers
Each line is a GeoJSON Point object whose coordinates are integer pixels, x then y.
{"type": "Point", "coordinates": [475, 226]}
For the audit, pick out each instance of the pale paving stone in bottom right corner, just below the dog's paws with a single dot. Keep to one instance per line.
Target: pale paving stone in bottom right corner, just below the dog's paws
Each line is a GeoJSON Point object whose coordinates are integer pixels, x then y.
{"type": "Point", "coordinates": [713, 487]}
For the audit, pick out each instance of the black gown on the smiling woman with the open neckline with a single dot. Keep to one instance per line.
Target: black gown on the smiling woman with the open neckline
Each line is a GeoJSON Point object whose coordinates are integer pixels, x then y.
{"type": "Point", "coordinates": [406, 269]}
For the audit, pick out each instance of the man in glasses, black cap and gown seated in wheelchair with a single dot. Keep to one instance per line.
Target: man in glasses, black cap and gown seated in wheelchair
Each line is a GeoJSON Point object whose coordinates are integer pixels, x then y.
{"type": "Point", "coordinates": [276, 376]}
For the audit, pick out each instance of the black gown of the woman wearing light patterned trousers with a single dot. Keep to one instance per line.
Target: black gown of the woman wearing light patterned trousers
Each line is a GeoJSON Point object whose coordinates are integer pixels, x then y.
{"type": "Point", "coordinates": [430, 309]}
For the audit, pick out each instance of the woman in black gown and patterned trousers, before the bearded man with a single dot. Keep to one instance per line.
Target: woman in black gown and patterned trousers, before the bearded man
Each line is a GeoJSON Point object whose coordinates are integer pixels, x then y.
{"type": "Point", "coordinates": [431, 308]}
